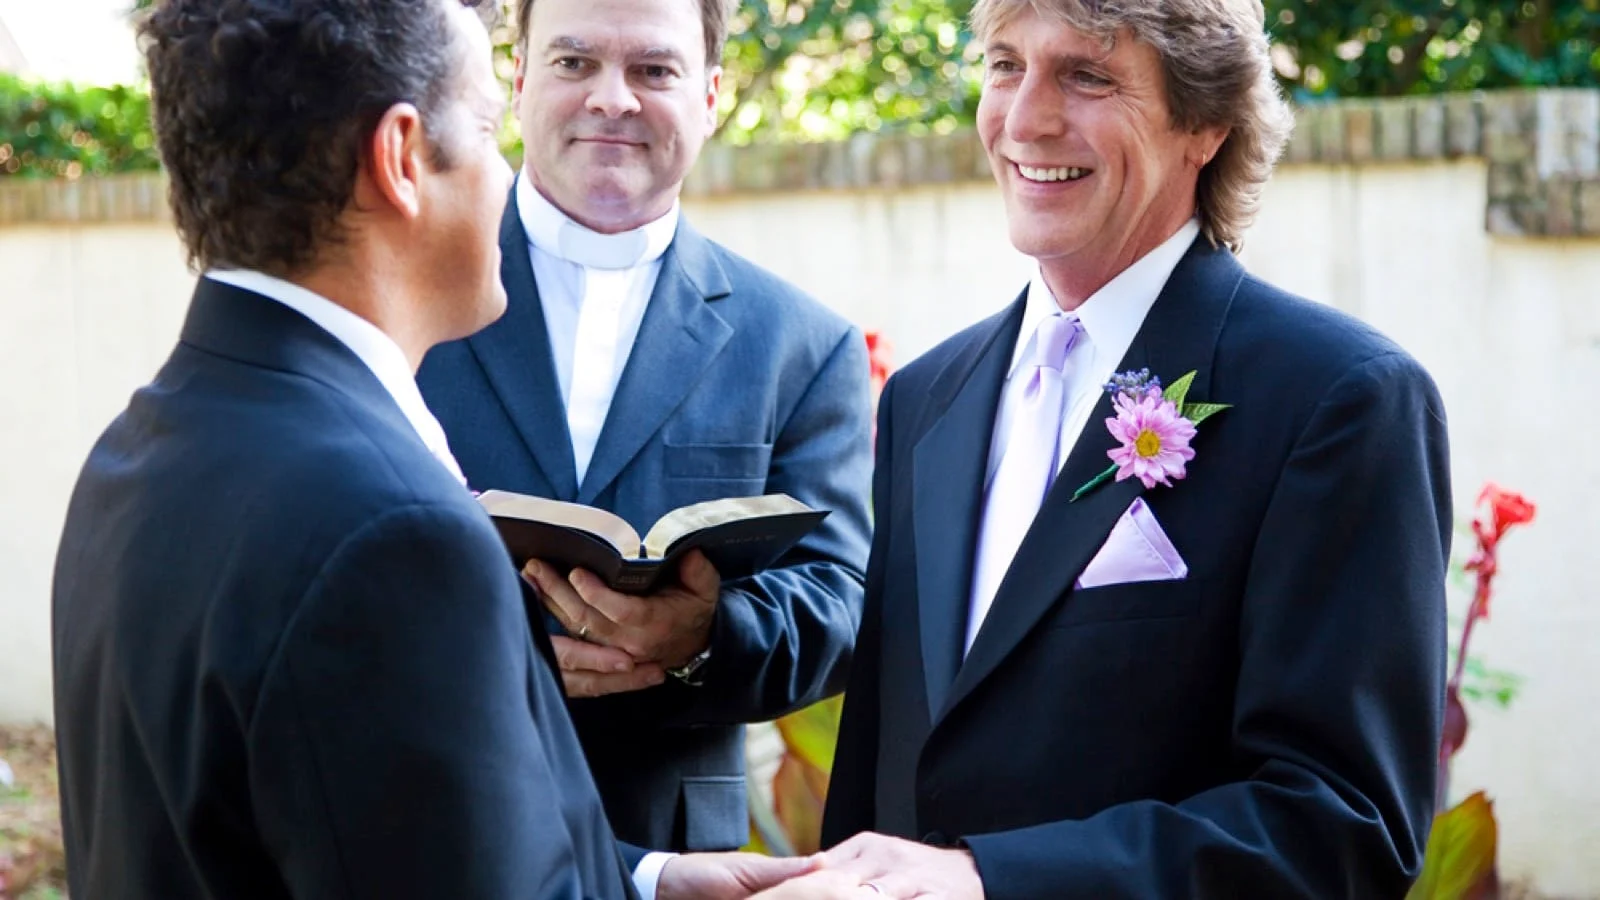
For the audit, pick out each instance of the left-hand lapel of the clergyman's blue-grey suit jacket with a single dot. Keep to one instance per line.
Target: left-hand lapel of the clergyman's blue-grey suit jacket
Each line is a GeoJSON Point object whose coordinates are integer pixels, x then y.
{"type": "Point", "coordinates": [516, 356]}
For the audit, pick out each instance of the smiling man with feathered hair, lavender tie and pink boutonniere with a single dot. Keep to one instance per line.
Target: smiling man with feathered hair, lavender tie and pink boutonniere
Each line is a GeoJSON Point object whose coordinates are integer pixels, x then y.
{"type": "Point", "coordinates": [1220, 673]}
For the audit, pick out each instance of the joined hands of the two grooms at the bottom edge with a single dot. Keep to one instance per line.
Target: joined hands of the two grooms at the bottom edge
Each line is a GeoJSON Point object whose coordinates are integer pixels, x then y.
{"type": "Point", "coordinates": [868, 867]}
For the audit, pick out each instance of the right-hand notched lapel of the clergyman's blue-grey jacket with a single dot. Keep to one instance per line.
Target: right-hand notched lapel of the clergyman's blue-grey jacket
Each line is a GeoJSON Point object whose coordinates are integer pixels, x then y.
{"type": "Point", "coordinates": [678, 342]}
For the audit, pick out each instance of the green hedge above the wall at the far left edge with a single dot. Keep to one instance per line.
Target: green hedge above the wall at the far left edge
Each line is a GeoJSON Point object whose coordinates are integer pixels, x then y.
{"type": "Point", "coordinates": [66, 132]}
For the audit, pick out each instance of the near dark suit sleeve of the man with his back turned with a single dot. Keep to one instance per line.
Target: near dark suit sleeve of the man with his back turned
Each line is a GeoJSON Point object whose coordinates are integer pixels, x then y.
{"type": "Point", "coordinates": [399, 728]}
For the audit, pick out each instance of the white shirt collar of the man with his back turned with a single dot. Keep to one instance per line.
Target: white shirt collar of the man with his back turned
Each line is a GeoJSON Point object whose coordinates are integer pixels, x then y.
{"type": "Point", "coordinates": [377, 350]}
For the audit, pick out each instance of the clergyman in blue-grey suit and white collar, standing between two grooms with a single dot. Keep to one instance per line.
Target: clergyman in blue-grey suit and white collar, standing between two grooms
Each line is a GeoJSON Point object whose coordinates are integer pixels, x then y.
{"type": "Point", "coordinates": [642, 368]}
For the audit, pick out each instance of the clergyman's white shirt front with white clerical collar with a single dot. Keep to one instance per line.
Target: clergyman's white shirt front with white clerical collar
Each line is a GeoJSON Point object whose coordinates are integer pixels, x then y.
{"type": "Point", "coordinates": [594, 289]}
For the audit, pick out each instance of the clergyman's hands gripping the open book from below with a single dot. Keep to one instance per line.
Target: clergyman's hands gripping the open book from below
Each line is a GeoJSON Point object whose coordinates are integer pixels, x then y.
{"type": "Point", "coordinates": [625, 643]}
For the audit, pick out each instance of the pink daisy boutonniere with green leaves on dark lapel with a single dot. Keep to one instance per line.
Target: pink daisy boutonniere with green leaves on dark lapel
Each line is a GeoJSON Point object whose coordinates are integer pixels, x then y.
{"type": "Point", "coordinates": [1153, 430]}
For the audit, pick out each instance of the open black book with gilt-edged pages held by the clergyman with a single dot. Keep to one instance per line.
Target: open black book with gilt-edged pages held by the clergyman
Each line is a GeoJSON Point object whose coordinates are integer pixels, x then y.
{"type": "Point", "coordinates": [740, 536]}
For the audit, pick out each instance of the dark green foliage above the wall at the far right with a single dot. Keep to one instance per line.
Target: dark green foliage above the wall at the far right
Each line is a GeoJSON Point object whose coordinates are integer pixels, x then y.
{"type": "Point", "coordinates": [1415, 47]}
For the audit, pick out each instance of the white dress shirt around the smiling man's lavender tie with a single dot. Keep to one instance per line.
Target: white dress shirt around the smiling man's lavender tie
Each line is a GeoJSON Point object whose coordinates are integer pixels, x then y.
{"type": "Point", "coordinates": [1111, 319]}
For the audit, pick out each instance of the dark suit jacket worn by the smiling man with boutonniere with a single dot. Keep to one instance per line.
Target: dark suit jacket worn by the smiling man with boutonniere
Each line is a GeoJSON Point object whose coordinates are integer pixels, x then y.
{"type": "Point", "coordinates": [1265, 728]}
